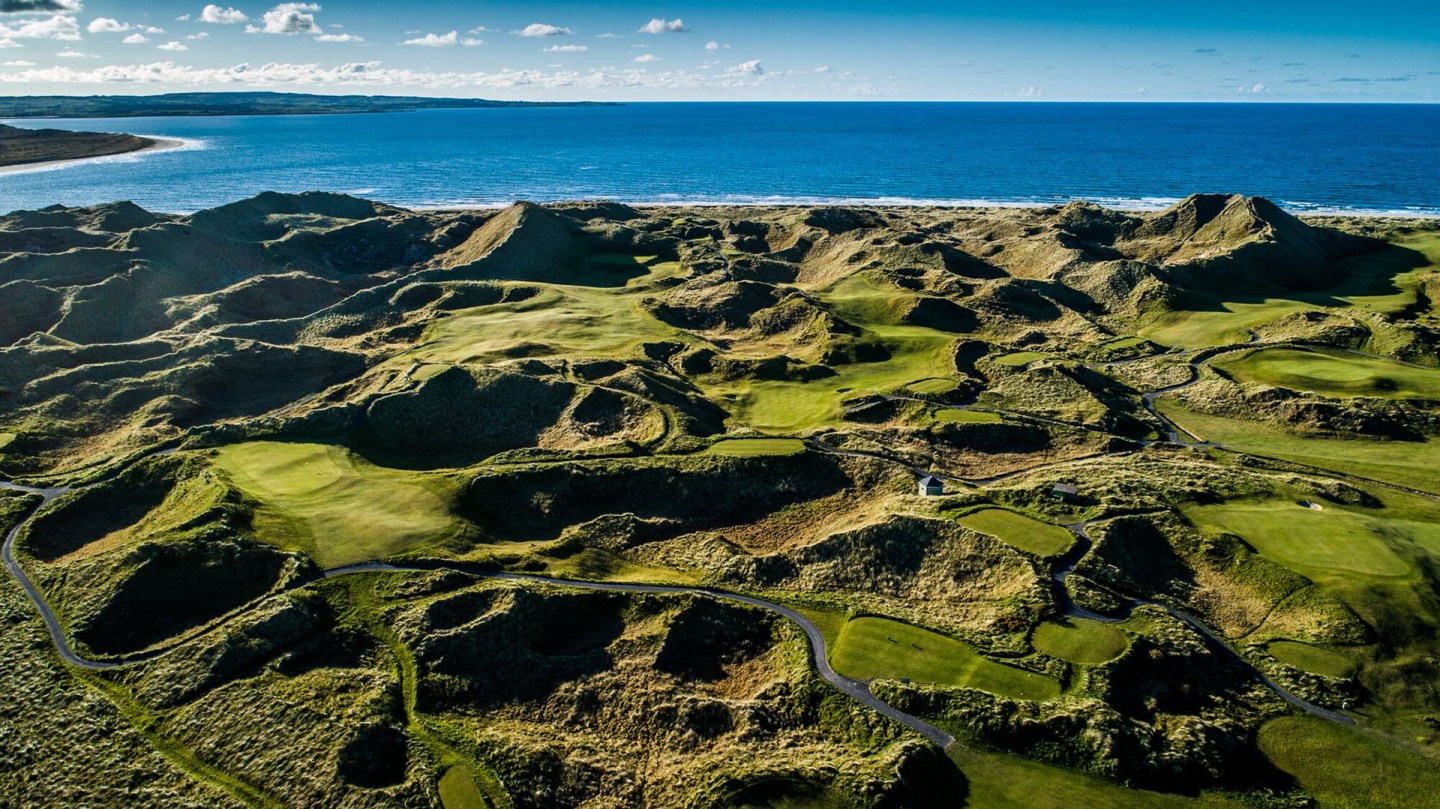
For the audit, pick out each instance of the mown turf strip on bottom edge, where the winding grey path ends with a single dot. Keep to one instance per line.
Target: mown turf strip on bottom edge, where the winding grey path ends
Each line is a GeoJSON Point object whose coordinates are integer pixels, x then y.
{"type": "Point", "coordinates": [1009, 782]}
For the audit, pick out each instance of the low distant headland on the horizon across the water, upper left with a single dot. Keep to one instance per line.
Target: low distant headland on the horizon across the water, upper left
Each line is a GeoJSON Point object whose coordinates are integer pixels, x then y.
{"type": "Point", "coordinates": [235, 104]}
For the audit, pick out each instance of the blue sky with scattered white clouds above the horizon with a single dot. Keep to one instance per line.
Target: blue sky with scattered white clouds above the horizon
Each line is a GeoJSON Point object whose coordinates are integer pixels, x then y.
{"type": "Point", "coordinates": [744, 50]}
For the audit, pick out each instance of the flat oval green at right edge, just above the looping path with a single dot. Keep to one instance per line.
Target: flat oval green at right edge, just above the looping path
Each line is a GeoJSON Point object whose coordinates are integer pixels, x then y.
{"type": "Point", "coordinates": [1334, 374]}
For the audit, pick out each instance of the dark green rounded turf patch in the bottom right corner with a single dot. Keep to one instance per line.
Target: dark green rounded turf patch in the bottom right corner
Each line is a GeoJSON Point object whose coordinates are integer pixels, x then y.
{"type": "Point", "coordinates": [1349, 768]}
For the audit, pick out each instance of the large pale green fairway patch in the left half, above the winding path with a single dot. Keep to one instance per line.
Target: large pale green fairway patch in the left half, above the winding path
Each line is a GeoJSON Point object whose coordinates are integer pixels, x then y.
{"type": "Point", "coordinates": [335, 506]}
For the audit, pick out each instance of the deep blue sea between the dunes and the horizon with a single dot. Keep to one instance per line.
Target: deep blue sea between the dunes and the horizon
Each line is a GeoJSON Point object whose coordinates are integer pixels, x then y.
{"type": "Point", "coordinates": [1376, 159]}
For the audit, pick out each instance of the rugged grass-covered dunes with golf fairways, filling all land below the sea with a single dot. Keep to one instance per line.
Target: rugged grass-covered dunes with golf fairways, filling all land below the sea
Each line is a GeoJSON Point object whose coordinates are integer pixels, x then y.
{"type": "Point", "coordinates": [1219, 410]}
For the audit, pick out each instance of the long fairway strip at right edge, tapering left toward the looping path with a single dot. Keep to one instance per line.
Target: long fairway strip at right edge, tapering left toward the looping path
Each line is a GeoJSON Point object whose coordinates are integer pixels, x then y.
{"type": "Point", "coordinates": [1406, 463]}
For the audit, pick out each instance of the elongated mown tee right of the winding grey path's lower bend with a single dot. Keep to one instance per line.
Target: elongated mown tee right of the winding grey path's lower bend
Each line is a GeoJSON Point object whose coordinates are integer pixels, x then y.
{"type": "Point", "coordinates": [878, 648]}
